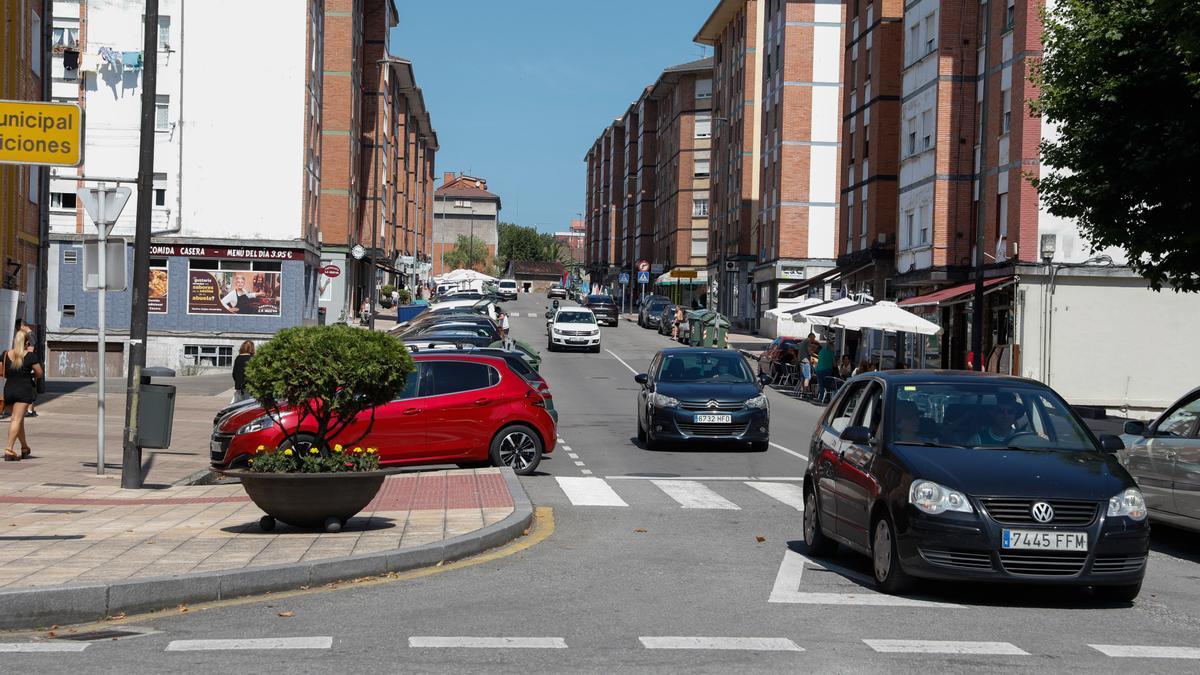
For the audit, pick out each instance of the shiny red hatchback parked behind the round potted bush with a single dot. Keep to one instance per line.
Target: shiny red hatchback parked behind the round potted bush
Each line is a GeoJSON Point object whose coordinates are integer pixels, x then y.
{"type": "Point", "coordinates": [455, 409]}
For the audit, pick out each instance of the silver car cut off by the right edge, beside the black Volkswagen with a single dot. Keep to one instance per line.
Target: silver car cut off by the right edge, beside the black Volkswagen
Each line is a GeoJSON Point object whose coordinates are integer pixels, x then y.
{"type": "Point", "coordinates": [1165, 459]}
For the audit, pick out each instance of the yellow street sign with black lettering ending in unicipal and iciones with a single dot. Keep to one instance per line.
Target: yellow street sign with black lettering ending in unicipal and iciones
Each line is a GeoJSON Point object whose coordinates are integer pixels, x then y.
{"type": "Point", "coordinates": [34, 133]}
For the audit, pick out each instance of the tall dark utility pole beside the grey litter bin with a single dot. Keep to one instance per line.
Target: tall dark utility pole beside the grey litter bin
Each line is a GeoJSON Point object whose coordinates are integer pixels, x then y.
{"type": "Point", "coordinates": [131, 458]}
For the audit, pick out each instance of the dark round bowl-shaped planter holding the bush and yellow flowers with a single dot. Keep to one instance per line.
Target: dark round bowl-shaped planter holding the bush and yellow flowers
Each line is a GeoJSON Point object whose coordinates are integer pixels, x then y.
{"type": "Point", "coordinates": [310, 500]}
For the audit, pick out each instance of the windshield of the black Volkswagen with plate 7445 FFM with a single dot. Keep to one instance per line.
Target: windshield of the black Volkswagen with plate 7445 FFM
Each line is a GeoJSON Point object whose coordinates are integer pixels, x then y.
{"type": "Point", "coordinates": [993, 416]}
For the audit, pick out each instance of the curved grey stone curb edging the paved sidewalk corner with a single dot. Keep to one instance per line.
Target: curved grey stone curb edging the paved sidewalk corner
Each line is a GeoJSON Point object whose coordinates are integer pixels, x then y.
{"type": "Point", "coordinates": [79, 604]}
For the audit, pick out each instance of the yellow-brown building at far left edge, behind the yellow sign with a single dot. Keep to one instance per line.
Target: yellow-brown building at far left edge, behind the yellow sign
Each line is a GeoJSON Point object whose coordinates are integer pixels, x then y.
{"type": "Point", "coordinates": [23, 77]}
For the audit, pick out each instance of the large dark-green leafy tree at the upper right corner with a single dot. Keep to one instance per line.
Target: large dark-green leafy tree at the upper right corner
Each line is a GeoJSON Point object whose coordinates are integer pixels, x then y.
{"type": "Point", "coordinates": [1121, 81]}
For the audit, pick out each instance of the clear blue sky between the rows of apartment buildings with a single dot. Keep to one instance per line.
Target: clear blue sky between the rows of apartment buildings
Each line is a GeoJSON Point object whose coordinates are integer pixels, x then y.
{"type": "Point", "coordinates": [519, 89]}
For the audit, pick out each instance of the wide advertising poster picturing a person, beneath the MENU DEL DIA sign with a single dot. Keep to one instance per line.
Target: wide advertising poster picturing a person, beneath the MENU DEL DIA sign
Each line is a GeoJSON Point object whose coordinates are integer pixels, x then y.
{"type": "Point", "coordinates": [256, 294]}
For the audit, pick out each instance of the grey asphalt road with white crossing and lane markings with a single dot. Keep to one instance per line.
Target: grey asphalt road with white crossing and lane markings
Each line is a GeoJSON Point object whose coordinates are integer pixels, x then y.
{"type": "Point", "coordinates": [687, 559]}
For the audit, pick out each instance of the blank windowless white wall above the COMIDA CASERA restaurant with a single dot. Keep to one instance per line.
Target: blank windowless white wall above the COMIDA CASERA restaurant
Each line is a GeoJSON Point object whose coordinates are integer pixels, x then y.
{"type": "Point", "coordinates": [244, 94]}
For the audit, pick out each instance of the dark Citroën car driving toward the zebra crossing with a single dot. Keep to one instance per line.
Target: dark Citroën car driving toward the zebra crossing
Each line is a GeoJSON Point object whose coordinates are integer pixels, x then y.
{"type": "Point", "coordinates": [701, 395]}
